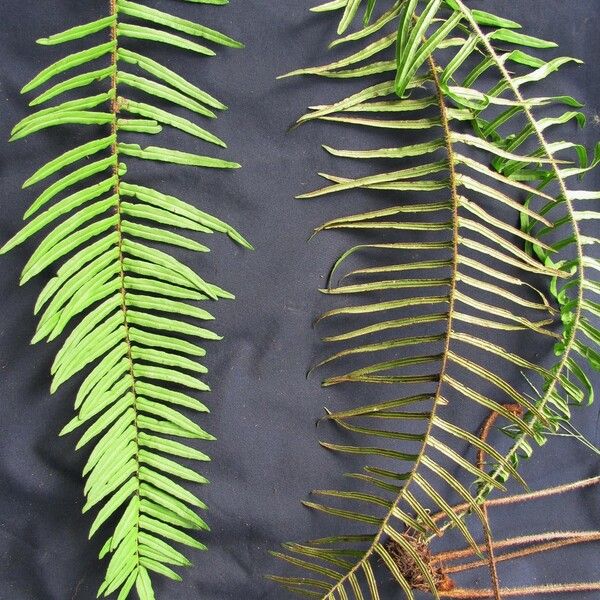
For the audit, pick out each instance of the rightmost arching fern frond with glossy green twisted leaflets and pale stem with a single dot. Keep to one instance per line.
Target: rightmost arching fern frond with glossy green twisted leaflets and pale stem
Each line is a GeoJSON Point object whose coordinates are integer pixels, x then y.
{"type": "Point", "coordinates": [567, 381]}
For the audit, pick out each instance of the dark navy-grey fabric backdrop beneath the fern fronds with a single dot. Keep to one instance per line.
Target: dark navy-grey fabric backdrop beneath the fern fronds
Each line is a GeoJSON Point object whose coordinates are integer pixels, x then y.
{"type": "Point", "coordinates": [263, 408]}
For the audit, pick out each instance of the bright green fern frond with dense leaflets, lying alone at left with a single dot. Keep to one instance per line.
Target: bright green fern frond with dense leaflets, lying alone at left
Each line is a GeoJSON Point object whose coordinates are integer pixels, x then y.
{"type": "Point", "coordinates": [128, 305]}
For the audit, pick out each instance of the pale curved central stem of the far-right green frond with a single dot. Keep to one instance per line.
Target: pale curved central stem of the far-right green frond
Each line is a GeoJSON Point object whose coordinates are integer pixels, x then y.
{"type": "Point", "coordinates": [532, 419]}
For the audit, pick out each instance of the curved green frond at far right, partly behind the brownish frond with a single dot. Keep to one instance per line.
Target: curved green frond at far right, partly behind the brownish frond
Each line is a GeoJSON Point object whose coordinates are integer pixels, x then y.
{"type": "Point", "coordinates": [565, 244]}
